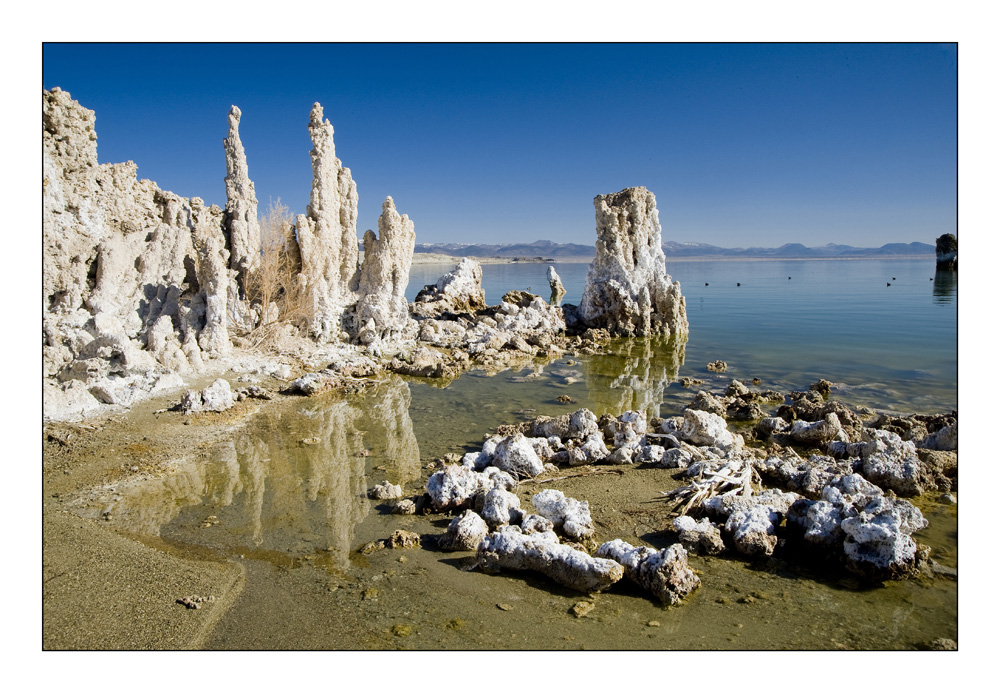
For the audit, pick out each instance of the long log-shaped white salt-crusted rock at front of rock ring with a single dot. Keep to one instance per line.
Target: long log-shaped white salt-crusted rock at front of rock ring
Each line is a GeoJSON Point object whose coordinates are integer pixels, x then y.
{"type": "Point", "coordinates": [511, 549]}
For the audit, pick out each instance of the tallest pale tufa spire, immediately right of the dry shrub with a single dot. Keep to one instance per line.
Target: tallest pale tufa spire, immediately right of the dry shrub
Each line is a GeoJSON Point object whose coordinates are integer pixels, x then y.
{"type": "Point", "coordinates": [327, 235]}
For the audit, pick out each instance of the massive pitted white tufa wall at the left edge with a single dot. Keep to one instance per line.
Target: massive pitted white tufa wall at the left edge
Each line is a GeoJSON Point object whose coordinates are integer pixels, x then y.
{"type": "Point", "coordinates": [135, 278]}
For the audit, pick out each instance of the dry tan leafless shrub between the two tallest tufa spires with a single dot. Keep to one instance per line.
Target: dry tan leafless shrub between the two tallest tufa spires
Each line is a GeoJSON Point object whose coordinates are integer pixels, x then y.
{"type": "Point", "coordinates": [273, 293]}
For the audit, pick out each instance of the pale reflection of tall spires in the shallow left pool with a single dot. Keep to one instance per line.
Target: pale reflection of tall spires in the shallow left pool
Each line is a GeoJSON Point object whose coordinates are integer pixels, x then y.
{"type": "Point", "coordinates": [294, 481]}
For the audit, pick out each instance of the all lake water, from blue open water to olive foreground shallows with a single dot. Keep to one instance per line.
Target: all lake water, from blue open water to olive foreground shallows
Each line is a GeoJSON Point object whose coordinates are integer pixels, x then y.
{"type": "Point", "coordinates": [286, 497]}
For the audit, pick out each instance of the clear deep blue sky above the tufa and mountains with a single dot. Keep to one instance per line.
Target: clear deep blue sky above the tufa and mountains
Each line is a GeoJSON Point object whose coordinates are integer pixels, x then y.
{"type": "Point", "coordinates": [743, 144]}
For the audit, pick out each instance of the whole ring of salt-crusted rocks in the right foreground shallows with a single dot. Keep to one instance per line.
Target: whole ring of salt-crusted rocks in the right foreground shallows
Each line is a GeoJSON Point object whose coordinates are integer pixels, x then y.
{"type": "Point", "coordinates": [833, 497]}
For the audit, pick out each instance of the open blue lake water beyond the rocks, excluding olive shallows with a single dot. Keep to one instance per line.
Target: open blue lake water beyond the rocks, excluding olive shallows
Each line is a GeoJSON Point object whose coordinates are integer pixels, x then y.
{"type": "Point", "coordinates": [795, 321]}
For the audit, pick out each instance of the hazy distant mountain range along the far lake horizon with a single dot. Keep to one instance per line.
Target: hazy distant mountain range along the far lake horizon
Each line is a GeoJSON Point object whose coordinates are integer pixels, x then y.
{"type": "Point", "coordinates": [548, 249]}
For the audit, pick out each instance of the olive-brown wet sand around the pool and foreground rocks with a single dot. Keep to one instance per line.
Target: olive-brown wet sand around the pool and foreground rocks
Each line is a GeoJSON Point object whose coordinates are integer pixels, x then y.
{"type": "Point", "coordinates": [105, 589]}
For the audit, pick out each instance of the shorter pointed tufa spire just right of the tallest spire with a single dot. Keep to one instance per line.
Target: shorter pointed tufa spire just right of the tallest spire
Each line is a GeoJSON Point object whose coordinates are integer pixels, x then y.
{"type": "Point", "coordinates": [382, 312]}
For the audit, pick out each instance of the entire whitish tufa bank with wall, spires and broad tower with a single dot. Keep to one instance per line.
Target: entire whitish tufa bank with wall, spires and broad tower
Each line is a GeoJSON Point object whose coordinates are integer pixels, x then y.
{"type": "Point", "coordinates": [143, 288]}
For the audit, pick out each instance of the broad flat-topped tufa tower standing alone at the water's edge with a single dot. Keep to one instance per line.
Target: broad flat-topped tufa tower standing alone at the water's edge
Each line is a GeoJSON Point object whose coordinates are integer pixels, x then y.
{"type": "Point", "coordinates": [628, 290]}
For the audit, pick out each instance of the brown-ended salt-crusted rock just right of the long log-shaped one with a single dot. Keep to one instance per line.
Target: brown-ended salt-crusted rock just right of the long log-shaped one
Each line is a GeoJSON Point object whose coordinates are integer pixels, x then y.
{"type": "Point", "coordinates": [665, 573]}
